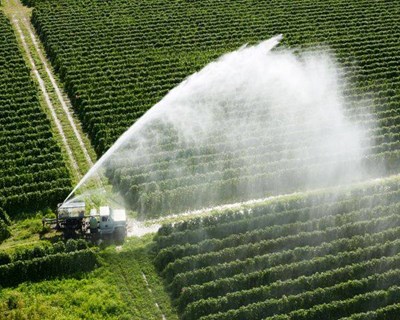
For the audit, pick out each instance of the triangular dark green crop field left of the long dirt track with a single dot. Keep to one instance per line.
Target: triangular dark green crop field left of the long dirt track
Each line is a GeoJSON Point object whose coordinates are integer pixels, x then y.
{"type": "Point", "coordinates": [32, 172]}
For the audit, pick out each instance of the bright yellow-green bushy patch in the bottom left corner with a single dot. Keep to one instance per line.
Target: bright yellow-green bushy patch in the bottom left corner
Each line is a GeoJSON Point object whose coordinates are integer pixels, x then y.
{"type": "Point", "coordinates": [89, 296]}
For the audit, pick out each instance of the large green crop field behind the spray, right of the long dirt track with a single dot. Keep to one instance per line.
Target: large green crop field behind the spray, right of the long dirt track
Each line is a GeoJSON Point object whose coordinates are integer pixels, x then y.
{"type": "Point", "coordinates": [118, 58]}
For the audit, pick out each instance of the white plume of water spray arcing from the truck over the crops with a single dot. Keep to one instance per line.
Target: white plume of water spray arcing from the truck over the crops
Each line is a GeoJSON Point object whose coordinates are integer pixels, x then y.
{"type": "Point", "coordinates": [253, 123]}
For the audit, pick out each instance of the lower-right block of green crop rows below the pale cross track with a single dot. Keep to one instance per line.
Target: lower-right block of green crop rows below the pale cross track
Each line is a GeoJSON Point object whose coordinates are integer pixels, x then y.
{"type": "Point", "coordinates": [320, 256]}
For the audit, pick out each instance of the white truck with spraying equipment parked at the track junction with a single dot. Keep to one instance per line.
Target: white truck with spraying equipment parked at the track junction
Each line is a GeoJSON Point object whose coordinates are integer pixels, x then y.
{"type": "Point", "coordinates": [74, 221]}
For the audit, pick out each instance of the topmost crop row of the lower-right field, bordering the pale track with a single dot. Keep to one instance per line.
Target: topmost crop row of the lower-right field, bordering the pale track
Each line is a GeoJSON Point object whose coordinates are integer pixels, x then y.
{"type": "Point", "coordinates": [269, 215]}
